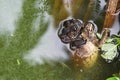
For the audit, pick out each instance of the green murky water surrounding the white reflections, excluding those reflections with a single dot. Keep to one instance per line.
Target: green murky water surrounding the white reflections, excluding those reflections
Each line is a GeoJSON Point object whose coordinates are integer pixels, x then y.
{"type": "Point", "coordinates": [12, 49]}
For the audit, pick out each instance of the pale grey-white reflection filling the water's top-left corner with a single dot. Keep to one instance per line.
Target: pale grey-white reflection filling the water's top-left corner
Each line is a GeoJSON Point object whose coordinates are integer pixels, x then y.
{"type": "Point", "coordinates": [10, 10]}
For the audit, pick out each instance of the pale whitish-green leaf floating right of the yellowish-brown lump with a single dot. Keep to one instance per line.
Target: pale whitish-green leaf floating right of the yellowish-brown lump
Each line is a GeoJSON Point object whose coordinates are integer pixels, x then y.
{"type": "Point", "coordinates": [110, 51]}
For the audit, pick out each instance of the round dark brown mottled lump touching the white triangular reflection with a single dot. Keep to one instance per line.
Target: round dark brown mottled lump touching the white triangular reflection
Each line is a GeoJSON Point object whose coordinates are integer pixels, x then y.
{"type": "Point", "coordinates": [69, 29]}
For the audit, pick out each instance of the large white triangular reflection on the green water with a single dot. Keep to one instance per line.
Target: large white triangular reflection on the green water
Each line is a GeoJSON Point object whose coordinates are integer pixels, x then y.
{"type": "Point", "coordinates": [48, 49]}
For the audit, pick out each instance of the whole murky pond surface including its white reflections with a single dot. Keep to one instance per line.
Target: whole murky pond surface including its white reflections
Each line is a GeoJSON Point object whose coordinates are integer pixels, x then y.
{"type": "Point", "coordinates": [30, 48]}
